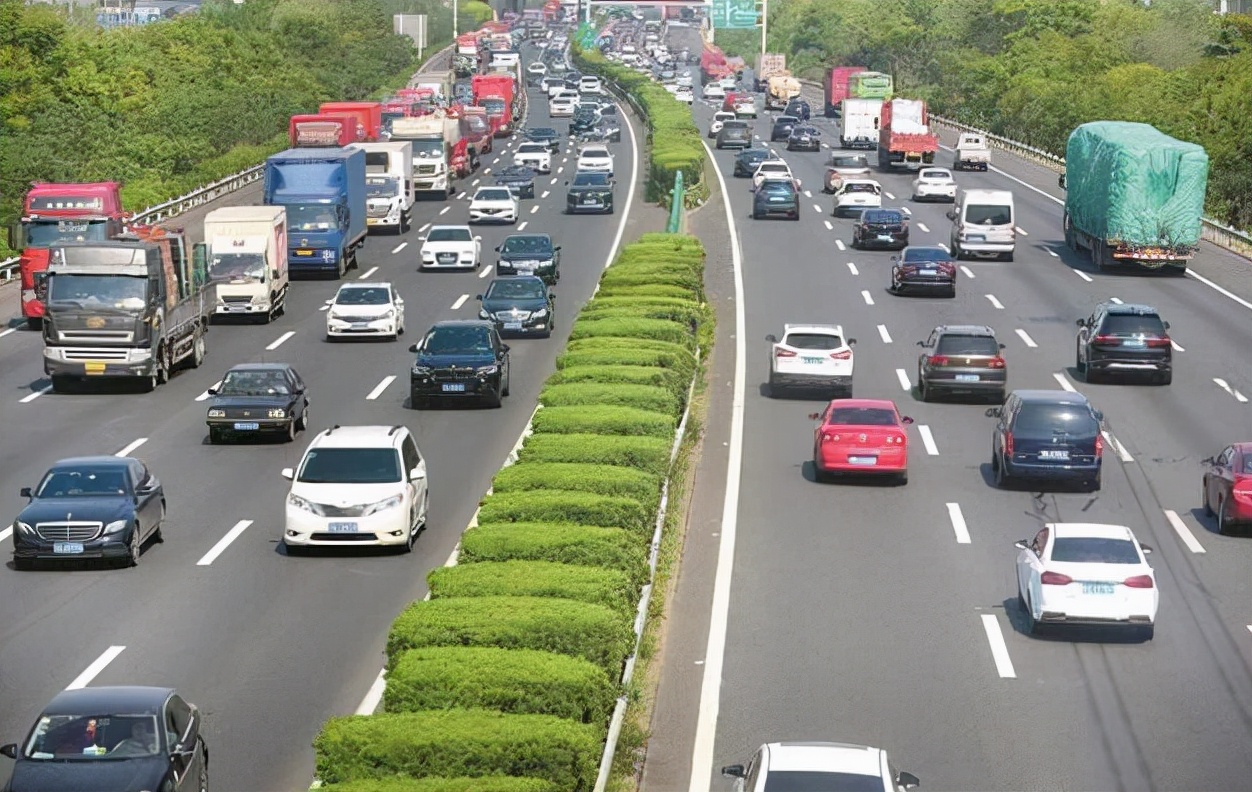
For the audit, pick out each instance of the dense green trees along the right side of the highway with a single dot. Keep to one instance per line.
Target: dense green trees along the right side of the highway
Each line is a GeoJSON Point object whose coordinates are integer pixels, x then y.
{"type": "Point", "coordinates": [1034, 71]}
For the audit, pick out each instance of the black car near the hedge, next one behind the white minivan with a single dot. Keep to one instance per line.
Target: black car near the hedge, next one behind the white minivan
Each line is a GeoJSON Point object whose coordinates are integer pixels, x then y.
{"type": "Point", "coordinates": [460, 358]}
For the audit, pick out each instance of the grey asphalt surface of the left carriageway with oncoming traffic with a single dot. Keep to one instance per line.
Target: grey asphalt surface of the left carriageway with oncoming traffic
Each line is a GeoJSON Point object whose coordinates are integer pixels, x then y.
{"type": "Point", "coordinates": [270, 646]}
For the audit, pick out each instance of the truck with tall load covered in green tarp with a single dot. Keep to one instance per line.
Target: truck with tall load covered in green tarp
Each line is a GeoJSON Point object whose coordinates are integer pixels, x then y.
{"type": "Point", "coordinates": [1134, 196]}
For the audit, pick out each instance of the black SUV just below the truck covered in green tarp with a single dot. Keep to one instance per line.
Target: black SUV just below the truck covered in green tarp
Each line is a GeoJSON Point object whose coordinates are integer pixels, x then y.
{"type": "Point", "coordinates": [1125, 340]}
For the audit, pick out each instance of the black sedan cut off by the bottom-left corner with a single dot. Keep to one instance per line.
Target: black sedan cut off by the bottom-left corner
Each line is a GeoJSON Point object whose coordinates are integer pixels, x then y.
{"type": "Point", "coordinates": [113, 740]}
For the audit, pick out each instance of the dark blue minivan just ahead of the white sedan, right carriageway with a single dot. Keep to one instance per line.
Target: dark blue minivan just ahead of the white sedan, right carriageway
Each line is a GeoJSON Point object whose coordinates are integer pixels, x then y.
{"type": "Point", "coordinates": [1047, 435]}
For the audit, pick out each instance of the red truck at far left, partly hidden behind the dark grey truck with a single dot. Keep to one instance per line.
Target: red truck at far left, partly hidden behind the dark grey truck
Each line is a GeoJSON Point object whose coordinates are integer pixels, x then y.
{"type": "Point", "coordinates": [53, 215]}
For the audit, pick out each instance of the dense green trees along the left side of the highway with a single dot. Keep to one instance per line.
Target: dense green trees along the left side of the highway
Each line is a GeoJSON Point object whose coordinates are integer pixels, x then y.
{"type": "Point", "coordinates": [173, 106]}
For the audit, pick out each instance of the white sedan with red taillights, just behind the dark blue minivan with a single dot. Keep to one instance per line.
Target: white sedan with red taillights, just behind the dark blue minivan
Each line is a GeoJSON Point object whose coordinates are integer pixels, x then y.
{"type": "Point", "coordinates": [1087, 574]}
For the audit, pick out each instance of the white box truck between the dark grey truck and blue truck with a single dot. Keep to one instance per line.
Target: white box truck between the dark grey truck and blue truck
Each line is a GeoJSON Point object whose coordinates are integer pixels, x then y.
{"type": "Point", "coordinates": [246, 251]}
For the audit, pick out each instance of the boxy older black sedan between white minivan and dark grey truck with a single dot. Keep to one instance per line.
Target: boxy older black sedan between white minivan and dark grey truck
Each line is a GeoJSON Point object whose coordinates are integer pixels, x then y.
{"type": "Point", "coordinates": [257, 400]}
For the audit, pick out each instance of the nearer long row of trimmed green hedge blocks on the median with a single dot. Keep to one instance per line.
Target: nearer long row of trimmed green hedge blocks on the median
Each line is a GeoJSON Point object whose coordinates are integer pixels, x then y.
{"type": "Point", "coordinates": [513, 668]}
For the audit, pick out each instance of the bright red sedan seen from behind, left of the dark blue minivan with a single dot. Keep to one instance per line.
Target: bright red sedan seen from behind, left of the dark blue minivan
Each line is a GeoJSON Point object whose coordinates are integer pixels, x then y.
{"type": "Point", "coordinates": [862, 437]}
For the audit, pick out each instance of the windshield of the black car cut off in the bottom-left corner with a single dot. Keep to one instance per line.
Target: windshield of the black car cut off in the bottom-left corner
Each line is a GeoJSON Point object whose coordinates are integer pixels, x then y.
{"type": "Point", "coordinates": [95, 738]}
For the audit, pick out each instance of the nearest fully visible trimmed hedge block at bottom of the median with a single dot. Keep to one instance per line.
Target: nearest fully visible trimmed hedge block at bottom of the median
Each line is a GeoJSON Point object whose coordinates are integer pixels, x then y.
{"type": "Point", "coordinates": [459, 743]}
